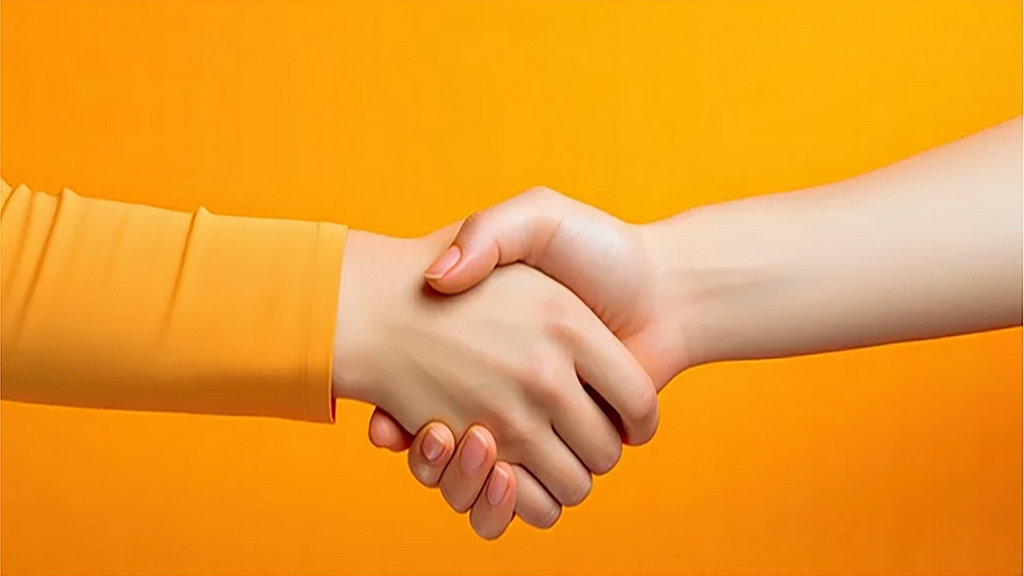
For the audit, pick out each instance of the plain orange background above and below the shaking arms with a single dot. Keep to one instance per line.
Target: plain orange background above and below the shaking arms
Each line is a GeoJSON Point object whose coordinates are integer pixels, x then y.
{"type": "Point", "coordinates": [403, 117]}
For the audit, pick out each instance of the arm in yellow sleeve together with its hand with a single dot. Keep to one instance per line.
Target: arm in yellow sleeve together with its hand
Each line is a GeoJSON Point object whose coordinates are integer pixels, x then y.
{"type": "Point", "coordinates": [115, 306]}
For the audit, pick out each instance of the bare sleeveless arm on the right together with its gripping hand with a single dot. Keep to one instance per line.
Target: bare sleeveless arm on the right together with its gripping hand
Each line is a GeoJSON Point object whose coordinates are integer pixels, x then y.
{"type": "Point", "coordinates": [926, 249]}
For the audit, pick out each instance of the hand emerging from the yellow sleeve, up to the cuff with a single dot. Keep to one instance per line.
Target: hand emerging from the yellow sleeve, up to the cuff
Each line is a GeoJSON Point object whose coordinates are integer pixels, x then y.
{"type": "Point", "coordinates": [505, 356]}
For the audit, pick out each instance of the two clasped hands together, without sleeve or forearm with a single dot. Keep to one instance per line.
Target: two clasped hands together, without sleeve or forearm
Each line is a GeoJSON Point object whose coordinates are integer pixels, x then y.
{"type": "Point", "coordinates": [546, 367]}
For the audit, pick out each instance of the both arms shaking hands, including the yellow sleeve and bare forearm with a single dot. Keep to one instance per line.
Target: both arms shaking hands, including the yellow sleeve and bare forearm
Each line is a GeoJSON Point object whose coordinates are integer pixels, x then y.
{"type": "Point", "coordinates": [522, 349]}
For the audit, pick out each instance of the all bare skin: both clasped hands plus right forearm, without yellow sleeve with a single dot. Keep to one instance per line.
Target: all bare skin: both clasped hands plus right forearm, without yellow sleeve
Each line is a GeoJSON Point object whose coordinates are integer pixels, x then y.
{"type": "Point", "coordinates": [540, 333]}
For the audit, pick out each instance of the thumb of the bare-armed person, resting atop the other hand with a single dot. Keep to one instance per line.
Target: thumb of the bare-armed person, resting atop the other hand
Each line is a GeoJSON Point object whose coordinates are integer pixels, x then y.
{"type": "Point", "coordinates": [517, 230]}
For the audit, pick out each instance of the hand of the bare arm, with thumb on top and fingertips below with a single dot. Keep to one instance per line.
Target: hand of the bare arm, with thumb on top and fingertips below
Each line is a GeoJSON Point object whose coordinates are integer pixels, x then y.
{"type": "Point", "coordinates": [608, 263]}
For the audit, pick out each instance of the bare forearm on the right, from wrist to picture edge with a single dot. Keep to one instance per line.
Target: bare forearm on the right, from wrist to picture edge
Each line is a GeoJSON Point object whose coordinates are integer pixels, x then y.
{"type": "Point", "coordinates": [925, 249]}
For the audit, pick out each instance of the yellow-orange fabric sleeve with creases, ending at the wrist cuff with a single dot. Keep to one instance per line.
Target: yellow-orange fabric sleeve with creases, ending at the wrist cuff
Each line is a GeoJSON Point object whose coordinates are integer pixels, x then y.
{"type": "Point", "coordinates": [117, 306]}
